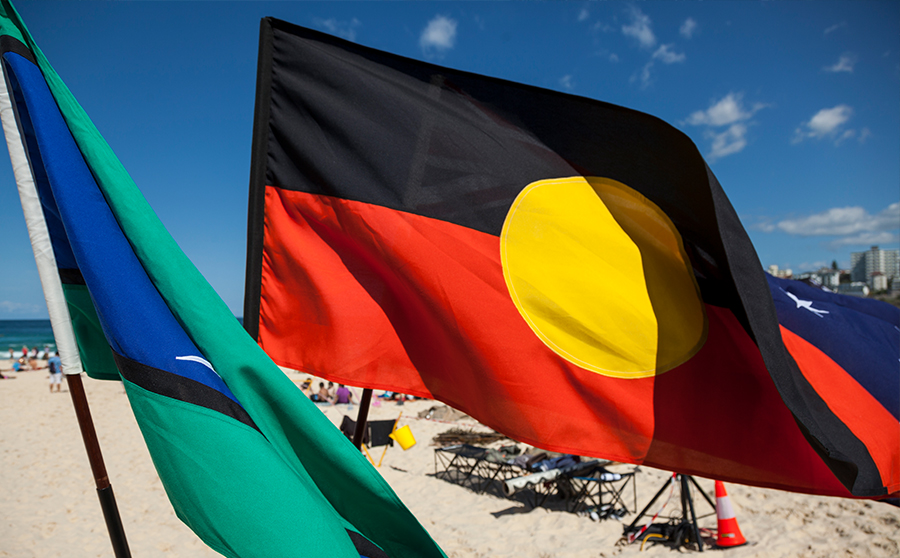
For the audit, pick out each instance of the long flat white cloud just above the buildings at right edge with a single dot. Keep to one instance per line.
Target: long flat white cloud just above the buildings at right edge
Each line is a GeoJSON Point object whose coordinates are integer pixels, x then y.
{"type": "Point", "coordinates": [843, 221]}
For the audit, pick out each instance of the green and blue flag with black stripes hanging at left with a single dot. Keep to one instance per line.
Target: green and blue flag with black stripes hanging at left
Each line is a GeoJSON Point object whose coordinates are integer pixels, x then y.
{"type": "Point", "coordinates": [246, 460]}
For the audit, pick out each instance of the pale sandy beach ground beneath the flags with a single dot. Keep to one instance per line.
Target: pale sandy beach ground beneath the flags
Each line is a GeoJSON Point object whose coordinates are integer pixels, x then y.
{"type": "Point", "coordinates": [49, 507]}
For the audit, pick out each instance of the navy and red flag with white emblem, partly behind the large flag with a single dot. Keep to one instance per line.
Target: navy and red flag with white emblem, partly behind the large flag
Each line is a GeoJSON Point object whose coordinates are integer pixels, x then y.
{"type": "Point", "coordinates": [848, 351]}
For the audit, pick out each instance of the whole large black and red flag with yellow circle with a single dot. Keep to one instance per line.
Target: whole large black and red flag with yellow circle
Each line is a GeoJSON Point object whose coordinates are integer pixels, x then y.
{"type": "Point", "coordinates": [567, 271]}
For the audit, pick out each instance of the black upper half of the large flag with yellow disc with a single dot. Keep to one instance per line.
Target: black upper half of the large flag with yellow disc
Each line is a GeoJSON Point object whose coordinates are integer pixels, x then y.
{"type": "Point", "coordinates": [356, 123]}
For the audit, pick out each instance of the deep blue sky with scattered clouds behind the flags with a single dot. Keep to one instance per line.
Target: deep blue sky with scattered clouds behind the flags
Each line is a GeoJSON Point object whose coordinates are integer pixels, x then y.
{"type": "Point", "coordinates": [795, 104]}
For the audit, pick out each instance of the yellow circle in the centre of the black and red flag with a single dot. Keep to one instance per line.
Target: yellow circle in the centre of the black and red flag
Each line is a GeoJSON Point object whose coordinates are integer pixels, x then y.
{"type": "Point", "coordinates": [600, 274]}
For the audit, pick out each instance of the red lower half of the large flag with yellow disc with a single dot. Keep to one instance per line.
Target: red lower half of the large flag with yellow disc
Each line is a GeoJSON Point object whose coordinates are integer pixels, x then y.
{"type": "Point", "coordinates": [369, 296]}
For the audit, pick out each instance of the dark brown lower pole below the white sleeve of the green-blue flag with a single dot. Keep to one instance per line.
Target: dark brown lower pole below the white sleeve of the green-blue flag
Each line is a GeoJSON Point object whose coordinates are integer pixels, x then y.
{"type": "Point", "coordinates": [101, 479]}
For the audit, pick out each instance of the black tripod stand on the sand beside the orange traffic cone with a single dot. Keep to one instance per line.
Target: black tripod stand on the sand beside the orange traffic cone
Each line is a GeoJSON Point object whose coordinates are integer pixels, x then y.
{"type": "Point", "coordinates": [681, 530]}
